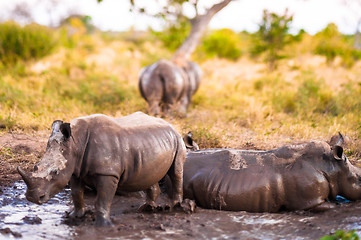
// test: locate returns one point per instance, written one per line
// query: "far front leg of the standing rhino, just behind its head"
(77, 193)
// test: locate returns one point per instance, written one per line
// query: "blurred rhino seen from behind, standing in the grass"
(168, 88)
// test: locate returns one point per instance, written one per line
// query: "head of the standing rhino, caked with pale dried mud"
(54, 170)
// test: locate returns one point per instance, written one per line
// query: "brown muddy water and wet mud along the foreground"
(20, 219)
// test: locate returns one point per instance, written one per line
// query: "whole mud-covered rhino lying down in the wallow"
(293, 177)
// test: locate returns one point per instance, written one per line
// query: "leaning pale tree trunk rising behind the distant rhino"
(199, 25)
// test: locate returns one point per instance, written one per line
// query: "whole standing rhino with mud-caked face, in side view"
(131, 153)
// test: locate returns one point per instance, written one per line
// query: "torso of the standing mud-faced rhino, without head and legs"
(132, 148)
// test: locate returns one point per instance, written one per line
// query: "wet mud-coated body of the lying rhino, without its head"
(255, 181)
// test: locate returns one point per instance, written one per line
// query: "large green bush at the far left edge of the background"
(24, 43)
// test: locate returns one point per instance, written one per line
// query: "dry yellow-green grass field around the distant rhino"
(240, 104)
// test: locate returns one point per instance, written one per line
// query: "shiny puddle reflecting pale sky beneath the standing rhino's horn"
(34, 221)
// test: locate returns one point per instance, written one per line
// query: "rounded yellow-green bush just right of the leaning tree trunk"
(222, 43)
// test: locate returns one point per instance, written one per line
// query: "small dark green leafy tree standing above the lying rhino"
(272, 36)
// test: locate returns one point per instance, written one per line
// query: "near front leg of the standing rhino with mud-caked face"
(106, 187)
